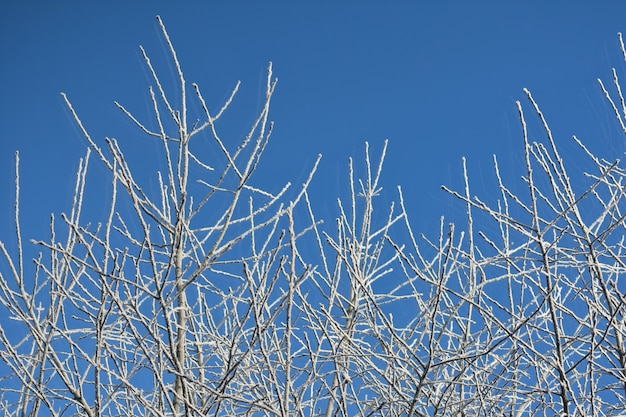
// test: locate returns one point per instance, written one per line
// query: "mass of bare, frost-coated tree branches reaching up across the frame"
(200, 300)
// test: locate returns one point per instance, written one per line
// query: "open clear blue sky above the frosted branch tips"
(438, 79)
